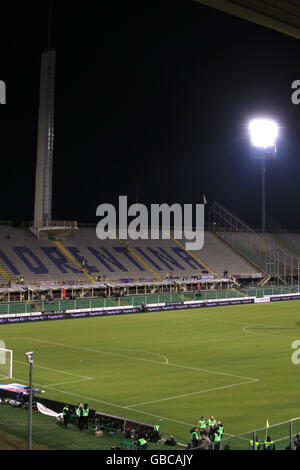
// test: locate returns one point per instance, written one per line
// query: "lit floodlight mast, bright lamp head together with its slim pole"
(263, 134)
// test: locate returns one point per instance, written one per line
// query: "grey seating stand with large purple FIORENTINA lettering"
(22, 254)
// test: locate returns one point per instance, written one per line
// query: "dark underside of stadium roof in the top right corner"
(280, 15)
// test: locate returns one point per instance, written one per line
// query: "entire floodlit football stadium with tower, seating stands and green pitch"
(128, 344)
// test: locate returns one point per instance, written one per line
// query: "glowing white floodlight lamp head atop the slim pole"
(263, 133)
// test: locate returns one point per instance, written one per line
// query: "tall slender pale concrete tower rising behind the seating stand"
(44, 165)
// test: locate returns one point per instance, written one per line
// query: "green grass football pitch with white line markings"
(170, 368)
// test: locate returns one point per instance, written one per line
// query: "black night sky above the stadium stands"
(155, 95)
